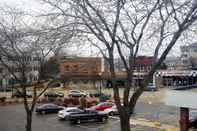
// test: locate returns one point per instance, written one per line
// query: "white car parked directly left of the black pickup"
(64, 114)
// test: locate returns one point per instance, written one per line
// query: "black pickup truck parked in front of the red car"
(88, 115)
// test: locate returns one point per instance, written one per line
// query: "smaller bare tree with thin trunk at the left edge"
(24, 49)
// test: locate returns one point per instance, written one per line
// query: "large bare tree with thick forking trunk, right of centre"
(122, 27)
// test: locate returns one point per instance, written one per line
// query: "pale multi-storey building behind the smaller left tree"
(8, 80)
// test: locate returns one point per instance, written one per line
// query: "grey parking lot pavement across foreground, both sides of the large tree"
(147, 117)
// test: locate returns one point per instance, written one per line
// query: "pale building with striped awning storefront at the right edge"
(182, 71)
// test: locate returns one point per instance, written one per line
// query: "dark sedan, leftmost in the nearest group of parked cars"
(48, 108)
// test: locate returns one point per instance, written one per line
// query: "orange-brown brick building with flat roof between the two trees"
(81, 69)
